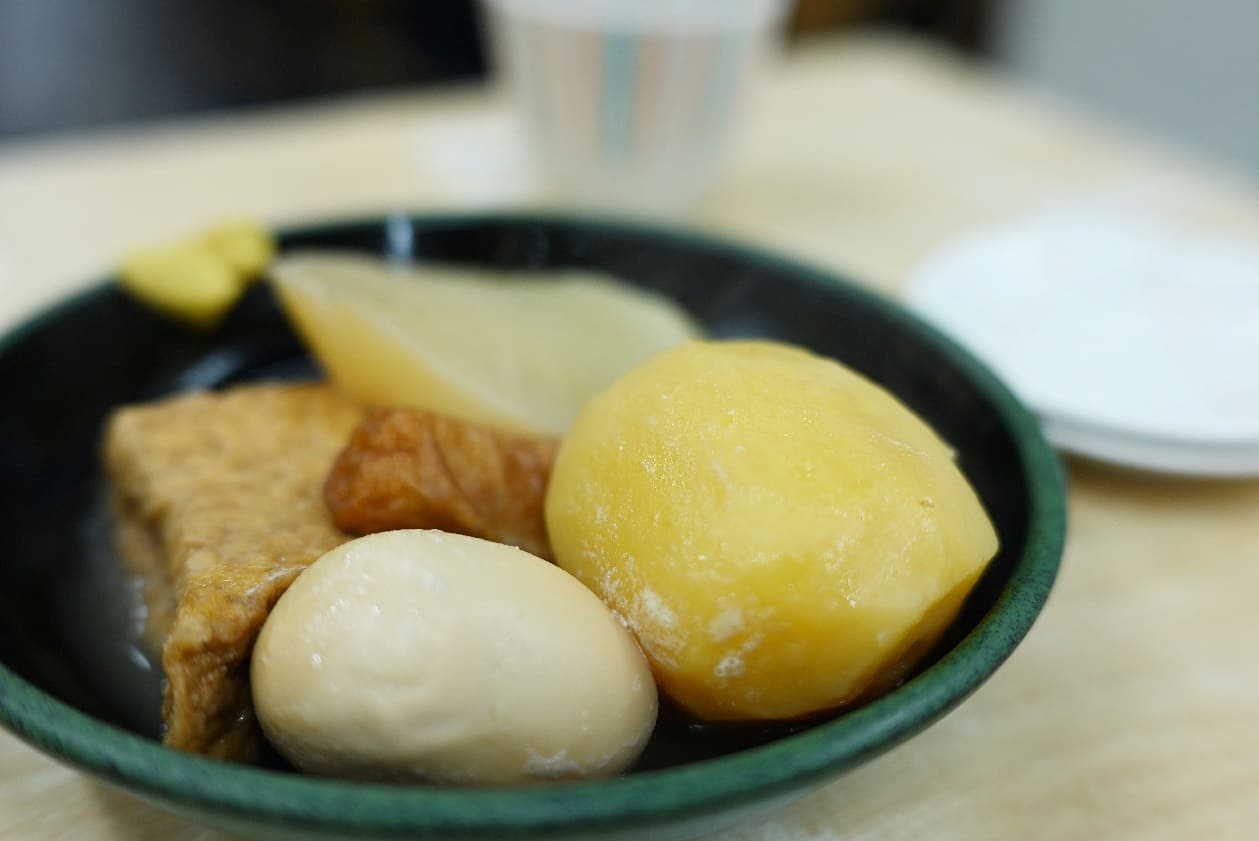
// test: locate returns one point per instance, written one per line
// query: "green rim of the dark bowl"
(260, 796)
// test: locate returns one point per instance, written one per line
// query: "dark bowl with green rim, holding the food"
(74, 686)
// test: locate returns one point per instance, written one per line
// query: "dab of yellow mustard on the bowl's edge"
(198, 280)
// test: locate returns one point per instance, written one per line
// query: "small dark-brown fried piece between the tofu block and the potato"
(411, 469)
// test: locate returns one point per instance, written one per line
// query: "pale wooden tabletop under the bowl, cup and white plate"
(1130, 712)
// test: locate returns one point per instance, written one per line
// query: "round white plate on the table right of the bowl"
(1136, 342)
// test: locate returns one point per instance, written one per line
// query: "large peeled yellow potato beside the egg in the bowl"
(782, 536)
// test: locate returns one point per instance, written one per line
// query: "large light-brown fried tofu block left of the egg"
(218, 505)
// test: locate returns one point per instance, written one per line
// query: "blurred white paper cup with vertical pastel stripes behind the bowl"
(628, 104)
